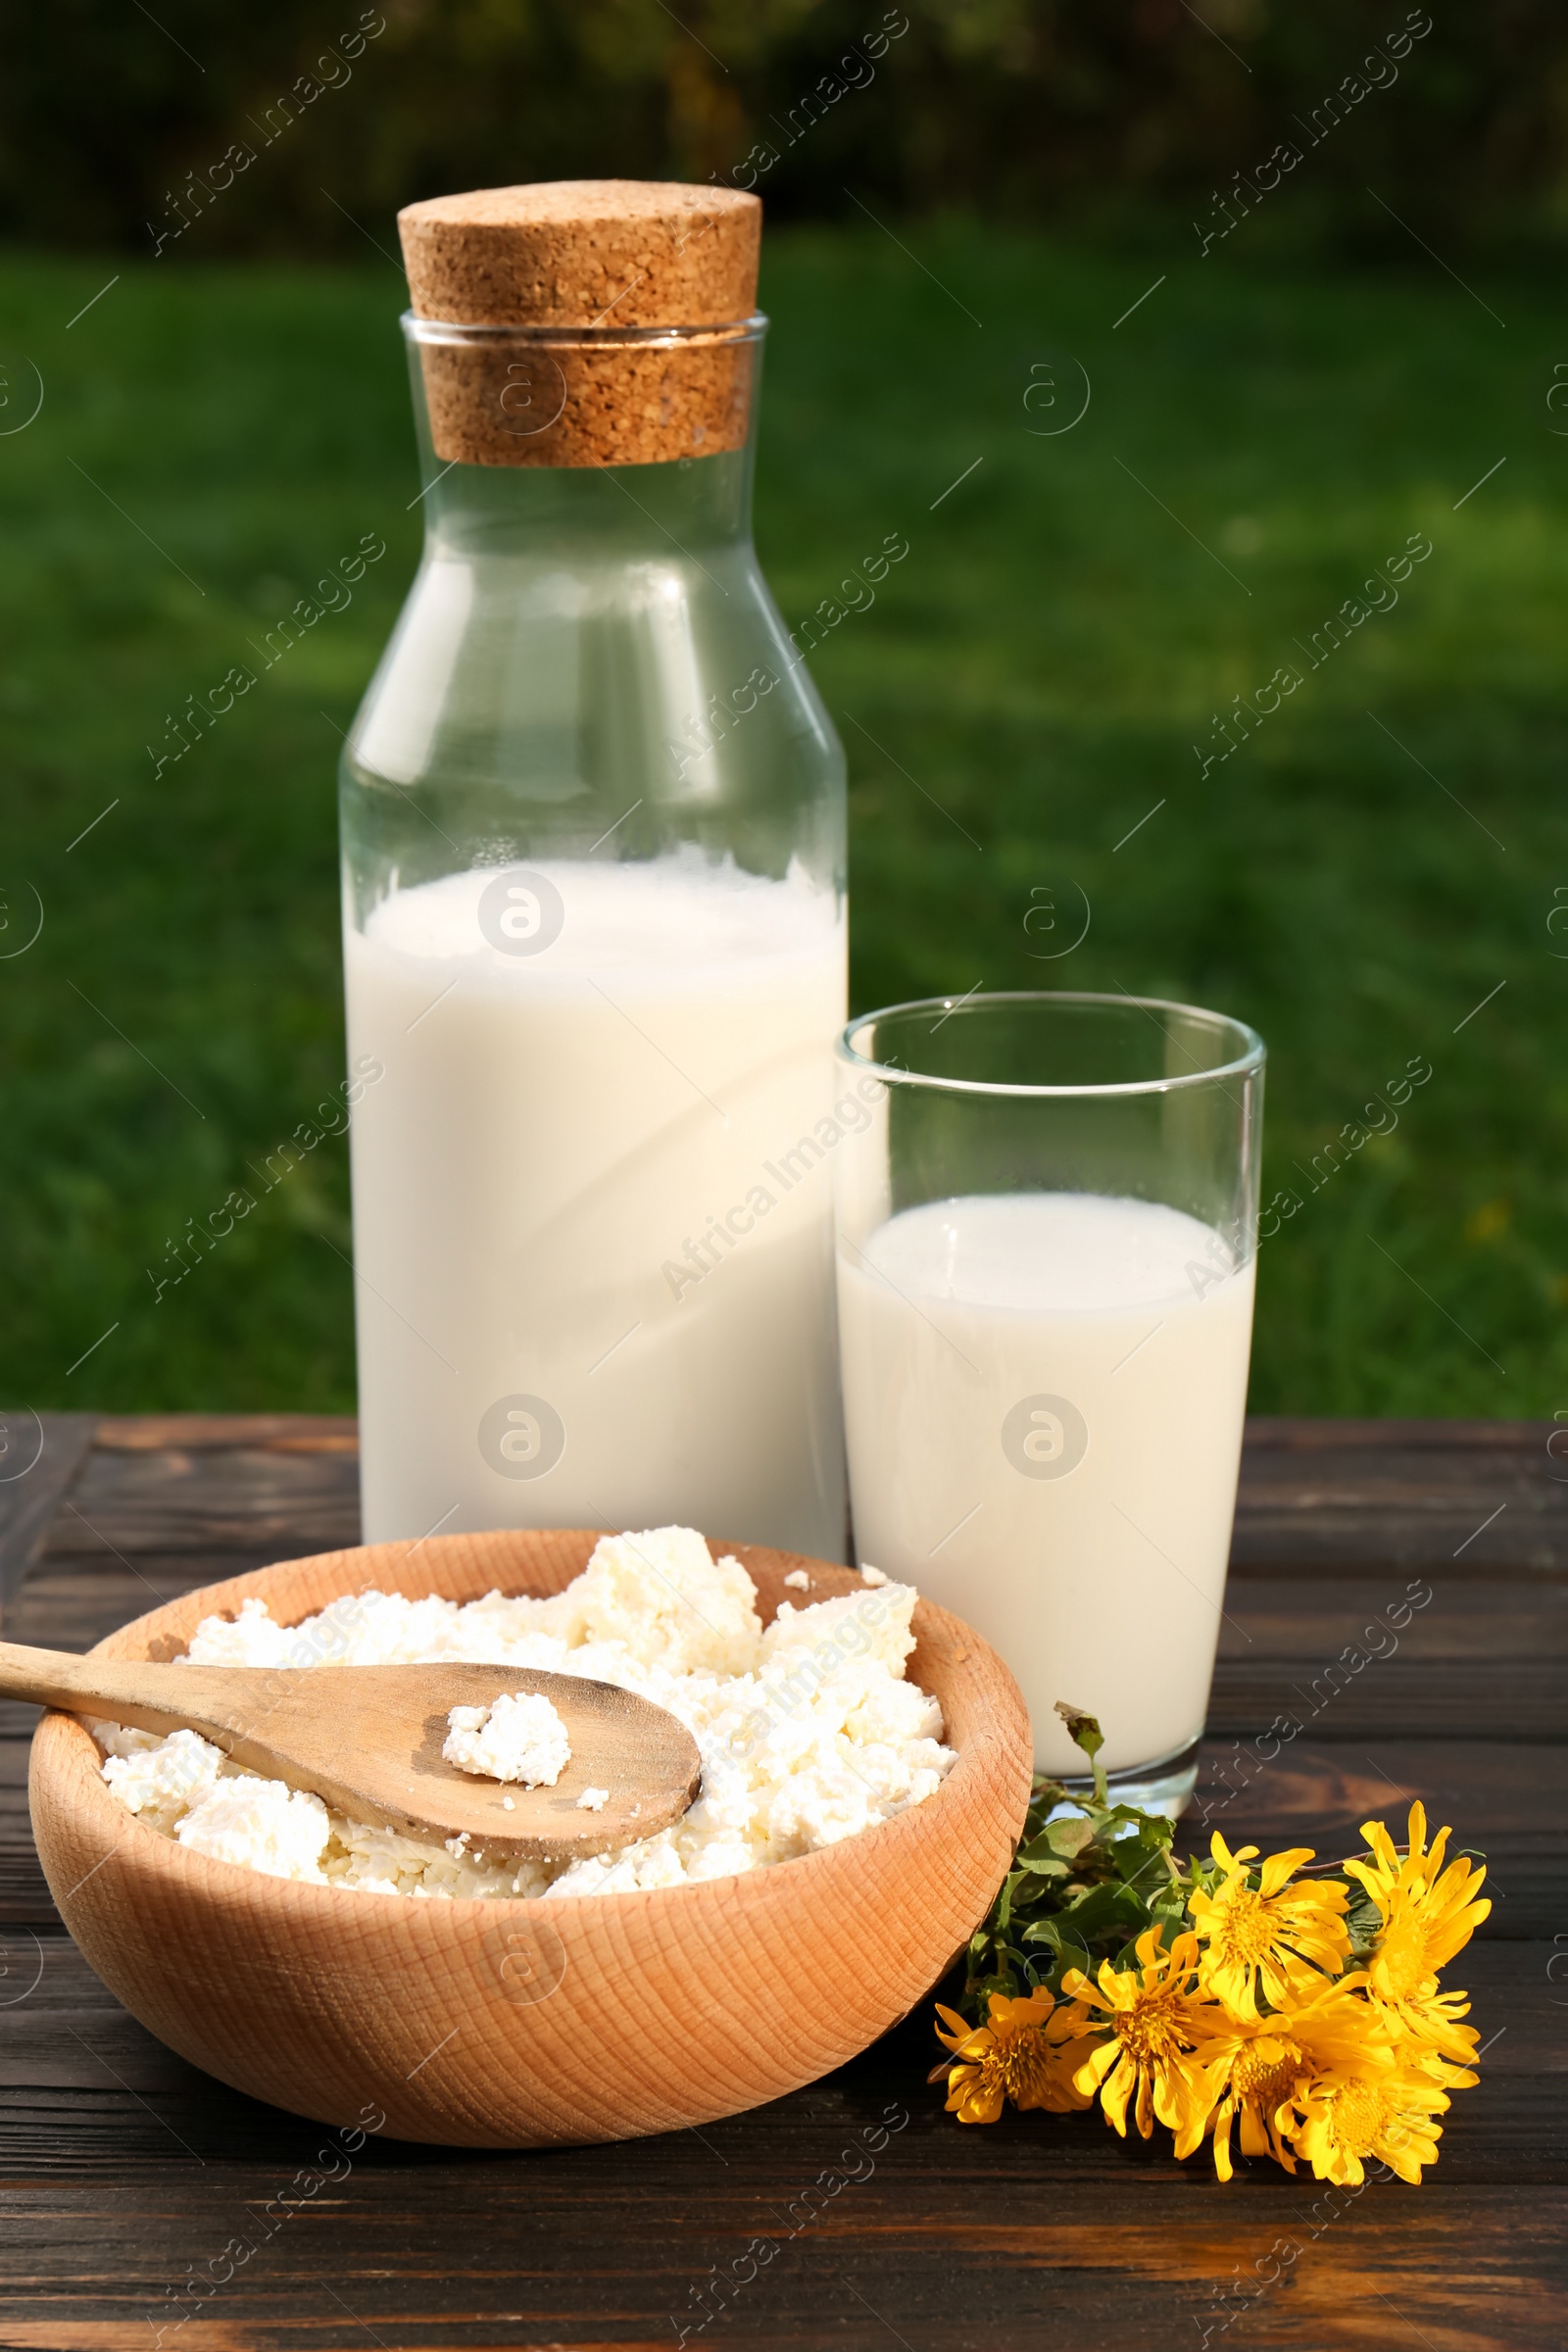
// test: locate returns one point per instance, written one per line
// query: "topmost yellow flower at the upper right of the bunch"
(1428, 1916)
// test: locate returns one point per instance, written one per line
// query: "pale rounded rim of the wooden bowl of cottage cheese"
(65, 1749)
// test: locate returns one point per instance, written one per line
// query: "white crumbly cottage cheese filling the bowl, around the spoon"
(808, 1730)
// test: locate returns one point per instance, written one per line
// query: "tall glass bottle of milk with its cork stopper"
(594, 923)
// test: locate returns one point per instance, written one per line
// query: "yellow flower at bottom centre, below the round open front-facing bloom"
(1268, 2066)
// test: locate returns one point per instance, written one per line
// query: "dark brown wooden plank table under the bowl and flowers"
(1442, 1546)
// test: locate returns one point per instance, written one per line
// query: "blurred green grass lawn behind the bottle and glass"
(1028, 686)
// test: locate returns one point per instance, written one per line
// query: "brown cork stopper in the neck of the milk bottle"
(645, 281)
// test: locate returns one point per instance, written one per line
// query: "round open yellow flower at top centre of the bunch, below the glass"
(1275, 1937)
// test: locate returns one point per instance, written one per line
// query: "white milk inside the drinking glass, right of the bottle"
(1045, 1401)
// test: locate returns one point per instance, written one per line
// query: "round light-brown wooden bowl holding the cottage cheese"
(490, 2024)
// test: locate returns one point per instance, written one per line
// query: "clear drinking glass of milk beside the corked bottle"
(1047, 1222)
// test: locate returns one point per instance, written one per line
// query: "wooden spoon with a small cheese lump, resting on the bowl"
(370, 1742)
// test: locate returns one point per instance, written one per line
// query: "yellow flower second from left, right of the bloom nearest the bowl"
(1155, 2029)
